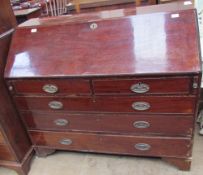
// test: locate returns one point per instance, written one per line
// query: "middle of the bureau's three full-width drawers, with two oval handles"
(111, 123)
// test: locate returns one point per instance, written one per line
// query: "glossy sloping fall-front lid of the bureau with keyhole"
(156, 43)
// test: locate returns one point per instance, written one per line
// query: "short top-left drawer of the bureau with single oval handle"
(45, 87)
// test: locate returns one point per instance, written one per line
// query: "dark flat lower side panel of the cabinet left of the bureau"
(9, 120)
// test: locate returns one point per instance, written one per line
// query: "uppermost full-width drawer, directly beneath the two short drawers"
(144, 104)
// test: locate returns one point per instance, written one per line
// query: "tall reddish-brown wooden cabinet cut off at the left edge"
(15, 144)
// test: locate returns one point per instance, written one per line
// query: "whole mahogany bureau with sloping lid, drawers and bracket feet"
(100, 82)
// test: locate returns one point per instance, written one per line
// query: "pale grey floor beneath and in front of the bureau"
(69, 163)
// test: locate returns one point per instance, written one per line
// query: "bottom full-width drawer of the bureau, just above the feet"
(121, 144)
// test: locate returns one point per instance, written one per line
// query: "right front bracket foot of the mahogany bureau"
(182, 164)
